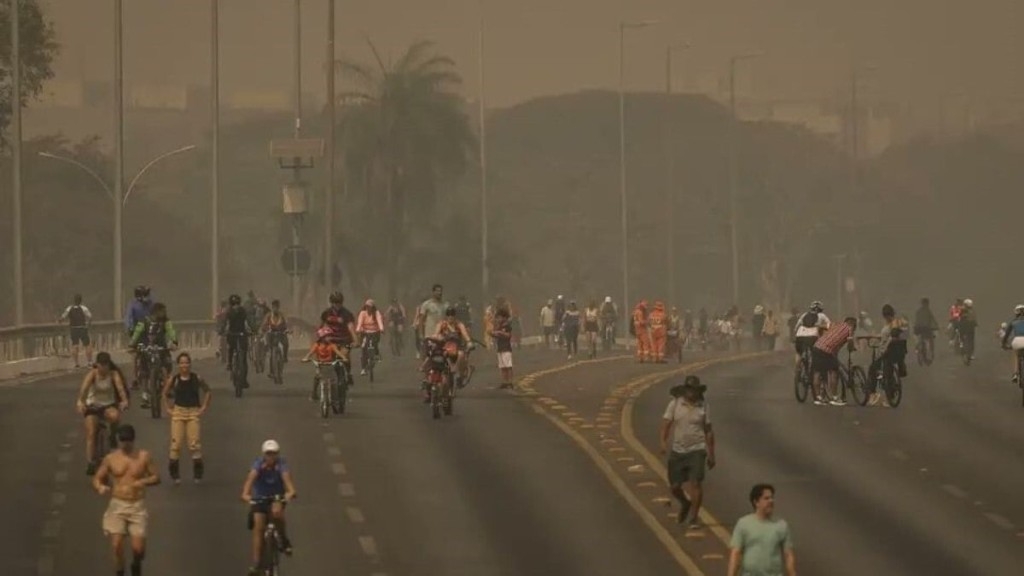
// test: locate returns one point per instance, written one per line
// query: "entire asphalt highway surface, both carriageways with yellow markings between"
(563, 480)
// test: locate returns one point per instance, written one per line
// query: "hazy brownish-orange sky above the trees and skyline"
(535, 48)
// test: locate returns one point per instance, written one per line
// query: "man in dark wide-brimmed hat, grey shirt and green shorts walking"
(688, 423)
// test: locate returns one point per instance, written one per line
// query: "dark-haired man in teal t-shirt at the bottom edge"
(762, 545)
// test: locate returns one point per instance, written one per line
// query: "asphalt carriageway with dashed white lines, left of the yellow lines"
(385, 490)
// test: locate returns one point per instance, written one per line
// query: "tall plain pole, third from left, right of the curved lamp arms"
(216, 160)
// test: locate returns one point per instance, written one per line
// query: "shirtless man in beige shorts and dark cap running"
(130, 472)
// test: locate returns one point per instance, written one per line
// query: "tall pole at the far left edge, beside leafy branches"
(16, 107)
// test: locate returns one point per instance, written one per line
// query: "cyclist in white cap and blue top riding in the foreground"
(269, 478)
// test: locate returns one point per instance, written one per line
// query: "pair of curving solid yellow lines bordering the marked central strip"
(634, 389)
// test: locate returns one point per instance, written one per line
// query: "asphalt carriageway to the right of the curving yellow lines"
(932, 487)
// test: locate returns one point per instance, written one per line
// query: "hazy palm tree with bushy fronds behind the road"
(408, 141)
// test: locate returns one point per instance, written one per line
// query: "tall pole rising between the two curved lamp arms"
(119, 157)
